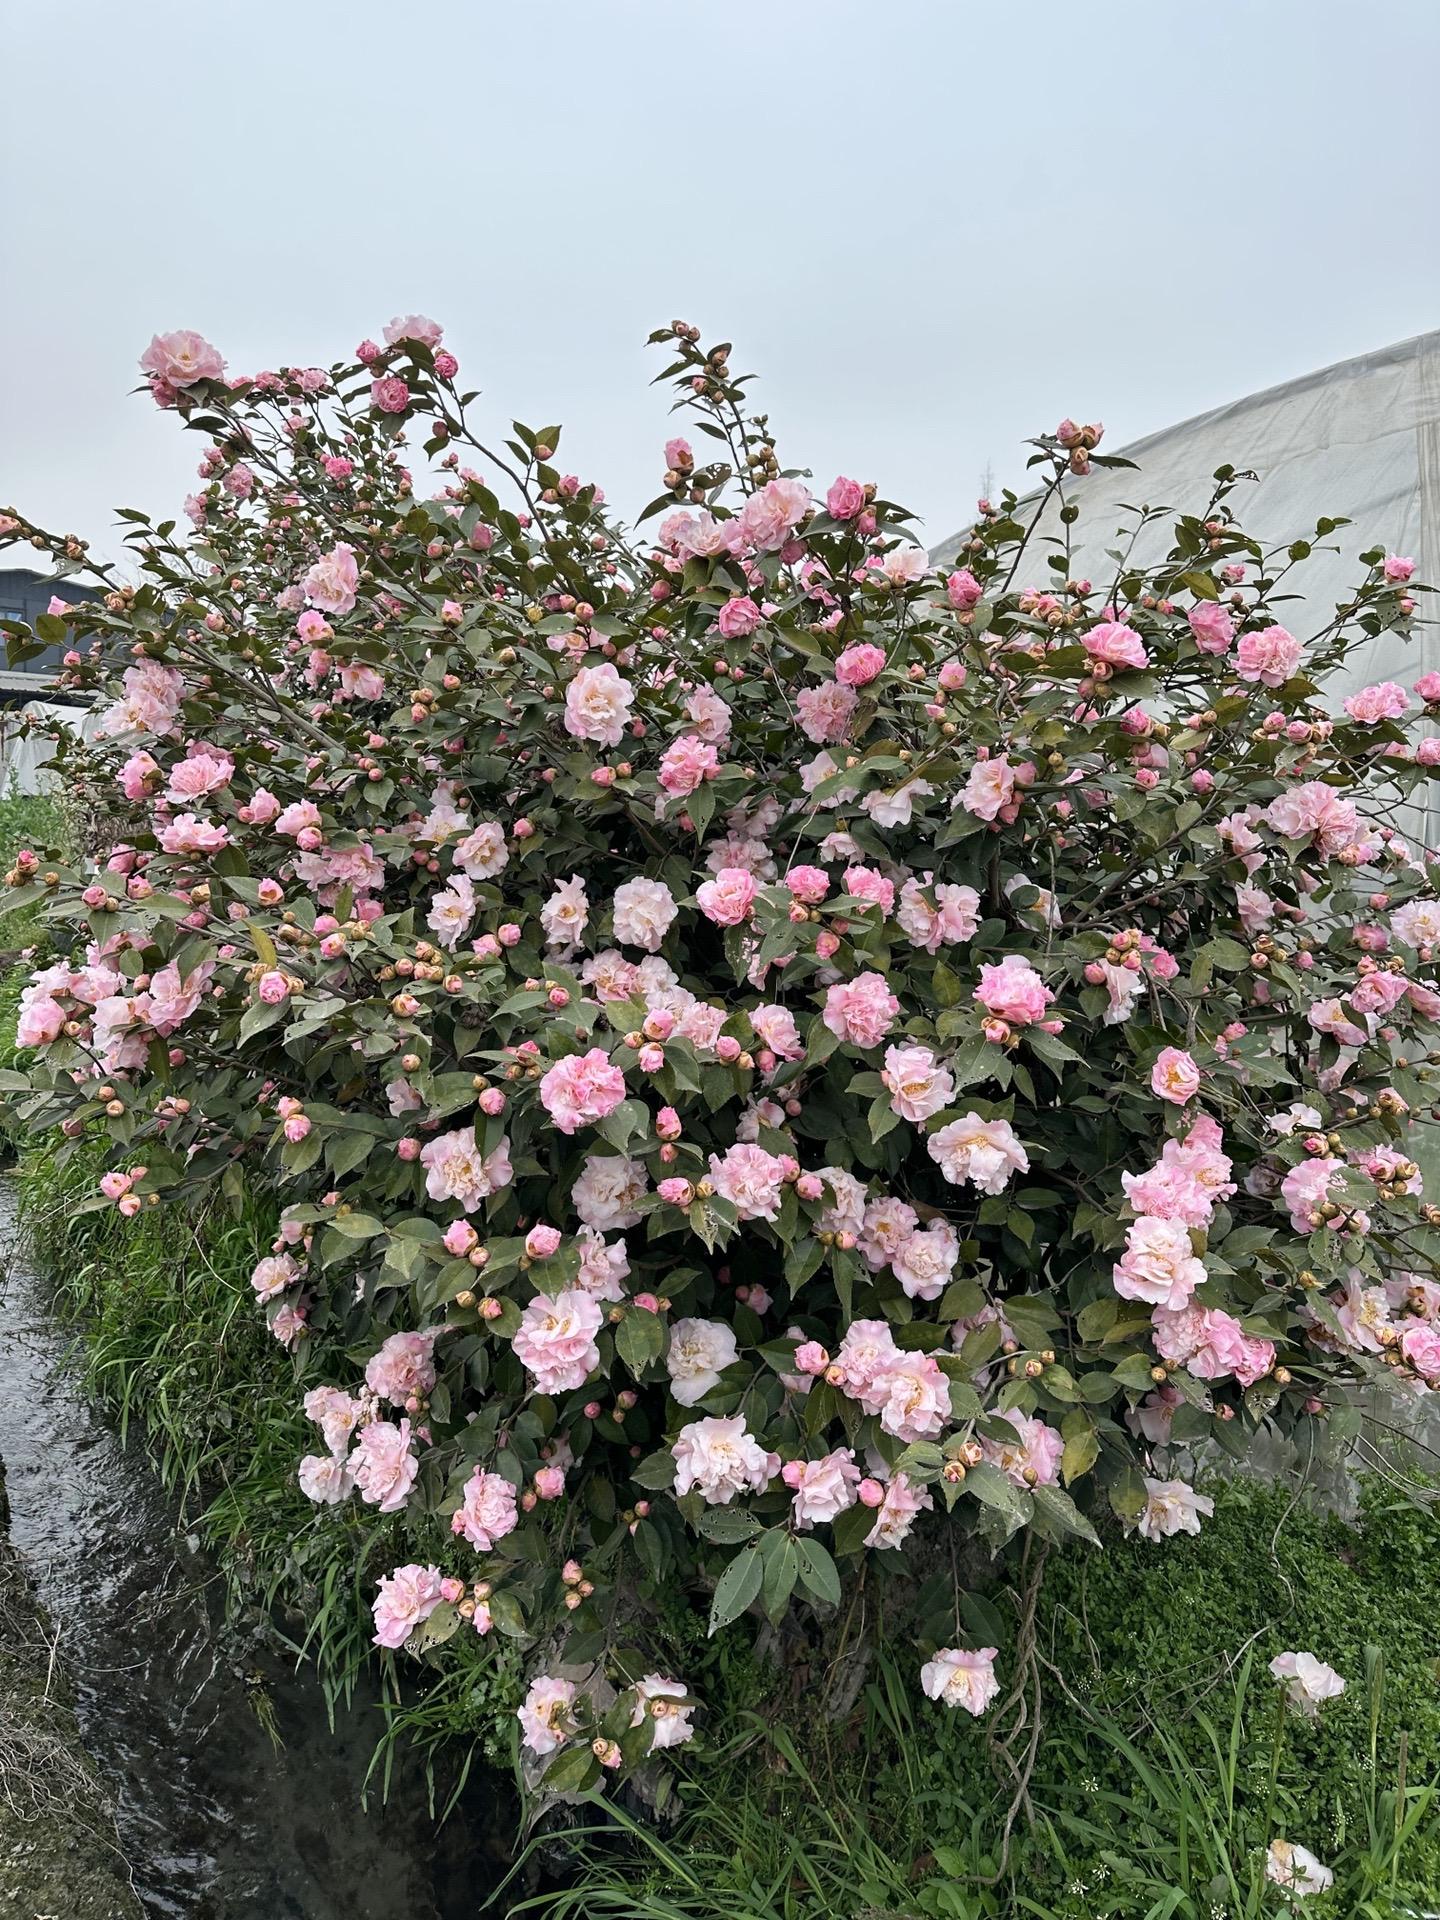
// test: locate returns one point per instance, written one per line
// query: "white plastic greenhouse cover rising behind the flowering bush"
(1358, 441)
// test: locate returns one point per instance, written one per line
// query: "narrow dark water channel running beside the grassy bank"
(216, 1819)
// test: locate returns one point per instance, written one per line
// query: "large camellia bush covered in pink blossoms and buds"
(771, 1053)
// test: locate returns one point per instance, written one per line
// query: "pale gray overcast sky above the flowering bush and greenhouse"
(930, 228)
